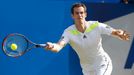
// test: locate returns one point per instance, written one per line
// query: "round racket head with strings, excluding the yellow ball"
(19, 40)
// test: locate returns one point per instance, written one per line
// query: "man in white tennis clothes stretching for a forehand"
(85, 38)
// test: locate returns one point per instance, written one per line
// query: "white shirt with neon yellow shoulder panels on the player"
(87, 45)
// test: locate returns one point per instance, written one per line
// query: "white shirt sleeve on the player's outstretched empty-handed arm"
(105, 29)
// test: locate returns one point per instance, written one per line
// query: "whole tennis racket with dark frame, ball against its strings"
(16, 45)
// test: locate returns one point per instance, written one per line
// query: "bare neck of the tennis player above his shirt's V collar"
(81, 26)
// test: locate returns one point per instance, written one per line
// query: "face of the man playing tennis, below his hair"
(79, 14)
